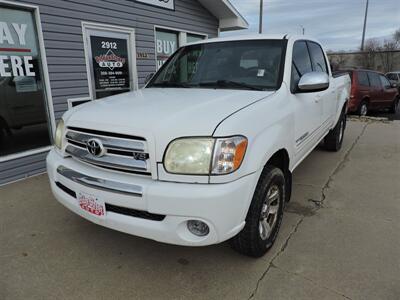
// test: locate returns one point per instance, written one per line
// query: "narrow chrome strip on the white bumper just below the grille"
(102, 184)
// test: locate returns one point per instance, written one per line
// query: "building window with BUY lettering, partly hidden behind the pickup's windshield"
(168, 41)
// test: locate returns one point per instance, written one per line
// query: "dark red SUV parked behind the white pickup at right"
(371, 91)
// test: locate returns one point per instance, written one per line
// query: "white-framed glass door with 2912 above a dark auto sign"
(111, 65)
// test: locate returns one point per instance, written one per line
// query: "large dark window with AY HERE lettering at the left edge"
(24, 122)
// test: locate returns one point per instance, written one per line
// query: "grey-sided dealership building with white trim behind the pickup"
(55, 54)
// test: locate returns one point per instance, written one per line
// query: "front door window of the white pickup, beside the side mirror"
(301, 63)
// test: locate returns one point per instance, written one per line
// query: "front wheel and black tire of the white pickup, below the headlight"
(254, 240)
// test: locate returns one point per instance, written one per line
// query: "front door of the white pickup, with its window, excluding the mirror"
(307, 108)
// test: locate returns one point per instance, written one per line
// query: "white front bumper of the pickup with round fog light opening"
(222, 206)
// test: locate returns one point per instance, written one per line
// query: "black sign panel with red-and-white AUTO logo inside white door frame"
(110, 63)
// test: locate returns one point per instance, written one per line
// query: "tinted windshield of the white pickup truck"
(250, 64)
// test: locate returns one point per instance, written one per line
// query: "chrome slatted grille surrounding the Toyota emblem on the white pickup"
(121, 152)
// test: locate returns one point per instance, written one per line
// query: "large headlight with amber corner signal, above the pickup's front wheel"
(205, 156)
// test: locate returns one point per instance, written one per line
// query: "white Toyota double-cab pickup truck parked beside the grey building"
(205, 151)
